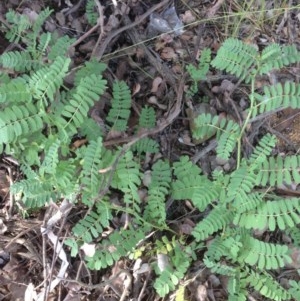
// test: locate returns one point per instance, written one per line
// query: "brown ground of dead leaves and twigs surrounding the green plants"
(140, 46)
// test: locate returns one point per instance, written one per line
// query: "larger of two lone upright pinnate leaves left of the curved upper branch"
(121, 103)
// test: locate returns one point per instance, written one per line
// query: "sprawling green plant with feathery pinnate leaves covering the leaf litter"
(40, 118)
